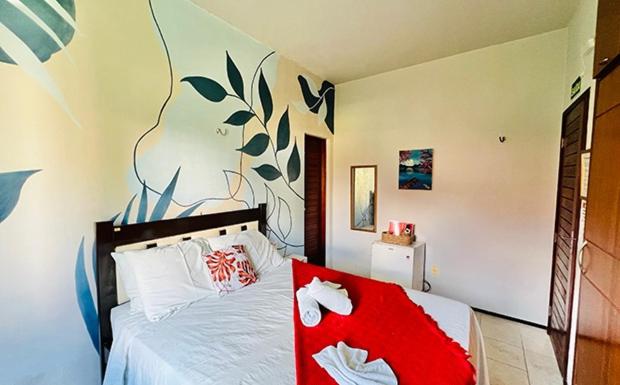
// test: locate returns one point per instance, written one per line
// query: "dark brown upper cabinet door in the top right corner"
(607, 34)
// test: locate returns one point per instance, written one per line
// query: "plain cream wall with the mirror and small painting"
(488, 222)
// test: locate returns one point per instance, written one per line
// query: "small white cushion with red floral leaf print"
(230, 269)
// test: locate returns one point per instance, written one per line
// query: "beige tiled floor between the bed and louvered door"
(518, 354)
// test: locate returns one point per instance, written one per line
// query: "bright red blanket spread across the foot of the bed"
(385, 323)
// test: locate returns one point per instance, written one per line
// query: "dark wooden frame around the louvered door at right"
(563, 359)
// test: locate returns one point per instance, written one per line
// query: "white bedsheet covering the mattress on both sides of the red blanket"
(245, 337)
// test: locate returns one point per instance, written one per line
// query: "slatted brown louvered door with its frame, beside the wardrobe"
(574, 128)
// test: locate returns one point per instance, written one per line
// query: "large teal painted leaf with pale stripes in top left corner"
(45, 26)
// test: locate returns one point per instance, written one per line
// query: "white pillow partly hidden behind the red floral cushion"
(263, 254)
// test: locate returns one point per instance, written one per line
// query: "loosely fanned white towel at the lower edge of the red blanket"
(347, 366)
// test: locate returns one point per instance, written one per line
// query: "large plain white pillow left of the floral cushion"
(164, 281)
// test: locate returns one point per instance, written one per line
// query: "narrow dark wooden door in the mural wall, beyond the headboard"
(315, 187)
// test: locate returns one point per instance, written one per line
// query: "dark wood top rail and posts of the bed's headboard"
(109, 237)
